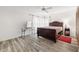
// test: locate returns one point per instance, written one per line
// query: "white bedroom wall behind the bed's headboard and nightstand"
(69, 17)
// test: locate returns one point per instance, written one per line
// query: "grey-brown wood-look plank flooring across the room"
(35, 44)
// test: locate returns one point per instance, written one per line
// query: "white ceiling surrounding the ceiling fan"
(36, 10)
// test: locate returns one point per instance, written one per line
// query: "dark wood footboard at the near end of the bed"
(47, 33)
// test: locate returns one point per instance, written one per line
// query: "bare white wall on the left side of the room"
(11, 21)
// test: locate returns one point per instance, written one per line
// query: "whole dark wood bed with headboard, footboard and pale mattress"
(51, 31)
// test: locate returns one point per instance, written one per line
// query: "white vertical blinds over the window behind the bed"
(40, 22)
